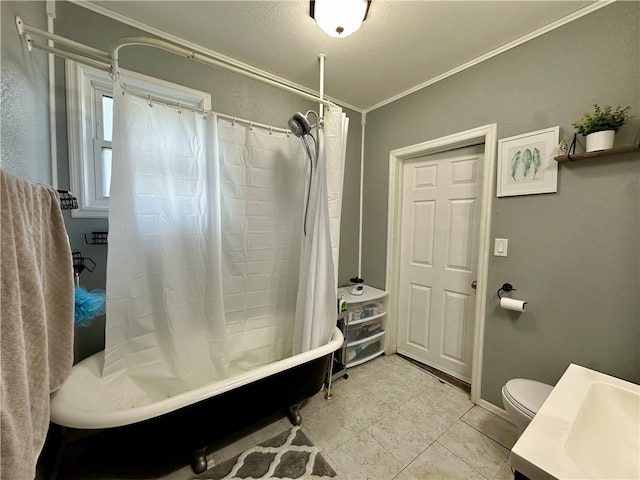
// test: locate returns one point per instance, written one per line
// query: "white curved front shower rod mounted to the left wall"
(110, 61)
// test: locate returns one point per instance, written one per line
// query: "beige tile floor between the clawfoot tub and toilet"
(388, 420)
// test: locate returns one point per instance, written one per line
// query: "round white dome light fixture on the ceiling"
(339, 18)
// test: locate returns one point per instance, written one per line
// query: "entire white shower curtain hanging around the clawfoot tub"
(206, 268)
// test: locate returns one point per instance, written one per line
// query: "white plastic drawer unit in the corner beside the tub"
(364, 325)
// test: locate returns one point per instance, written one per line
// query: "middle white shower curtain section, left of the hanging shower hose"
(263, 188)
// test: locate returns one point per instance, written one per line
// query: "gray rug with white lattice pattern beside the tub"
(289, 455)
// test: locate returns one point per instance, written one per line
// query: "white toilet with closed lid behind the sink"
(522, 399)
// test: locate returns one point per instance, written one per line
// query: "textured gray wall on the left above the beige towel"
(24, 116)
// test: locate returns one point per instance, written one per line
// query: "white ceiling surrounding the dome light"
(401, 46)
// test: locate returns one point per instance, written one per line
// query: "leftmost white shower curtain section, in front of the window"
(165, 330)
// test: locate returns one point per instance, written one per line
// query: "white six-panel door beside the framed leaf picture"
(439, 241)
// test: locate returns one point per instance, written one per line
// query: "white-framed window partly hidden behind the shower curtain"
(90, 128)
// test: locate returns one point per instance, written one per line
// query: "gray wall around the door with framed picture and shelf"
(574, 255)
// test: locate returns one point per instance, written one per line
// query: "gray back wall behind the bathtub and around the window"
(231, 94)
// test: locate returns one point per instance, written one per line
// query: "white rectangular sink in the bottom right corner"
(589, 427)
